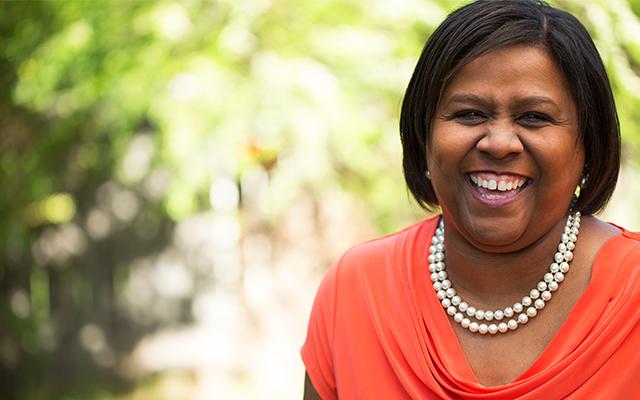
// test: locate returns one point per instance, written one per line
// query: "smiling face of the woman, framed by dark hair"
(505, 154)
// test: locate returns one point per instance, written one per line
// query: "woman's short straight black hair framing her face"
(486, 25)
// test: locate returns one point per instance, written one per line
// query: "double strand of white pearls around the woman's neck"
(508, 318)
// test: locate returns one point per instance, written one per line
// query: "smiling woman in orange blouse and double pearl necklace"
(516, 291)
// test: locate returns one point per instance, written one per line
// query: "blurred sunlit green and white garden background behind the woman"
(176, 176)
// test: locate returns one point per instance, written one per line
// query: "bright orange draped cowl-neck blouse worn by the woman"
(378, 331)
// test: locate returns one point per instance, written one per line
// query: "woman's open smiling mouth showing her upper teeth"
(494, 189)
